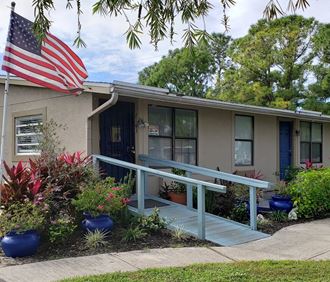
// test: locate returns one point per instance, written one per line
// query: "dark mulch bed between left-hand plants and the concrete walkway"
(75, 246)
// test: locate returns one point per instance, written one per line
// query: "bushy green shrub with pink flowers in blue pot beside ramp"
(102, 197)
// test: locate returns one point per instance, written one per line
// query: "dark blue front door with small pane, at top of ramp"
(117, 138)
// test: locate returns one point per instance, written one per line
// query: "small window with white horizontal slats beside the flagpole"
(27, 135)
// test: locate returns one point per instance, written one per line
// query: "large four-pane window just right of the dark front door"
(173, 134)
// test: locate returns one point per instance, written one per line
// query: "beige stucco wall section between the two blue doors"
(216, 139)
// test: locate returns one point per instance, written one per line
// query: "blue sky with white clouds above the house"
(107, 56)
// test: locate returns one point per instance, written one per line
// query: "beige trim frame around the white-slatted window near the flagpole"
(22, 156)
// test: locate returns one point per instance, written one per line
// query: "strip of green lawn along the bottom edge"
(240, 271)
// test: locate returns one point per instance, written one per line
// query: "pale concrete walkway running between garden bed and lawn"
(302, 241)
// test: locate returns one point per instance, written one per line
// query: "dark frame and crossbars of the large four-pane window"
(173, 135)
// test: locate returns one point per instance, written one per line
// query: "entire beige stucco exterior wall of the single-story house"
(215, 129)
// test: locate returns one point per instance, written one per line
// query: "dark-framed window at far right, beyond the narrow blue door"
(310, 142)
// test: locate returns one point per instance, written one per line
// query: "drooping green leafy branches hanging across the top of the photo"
(156, 17)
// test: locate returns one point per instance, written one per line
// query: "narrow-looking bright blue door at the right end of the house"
(285, 147)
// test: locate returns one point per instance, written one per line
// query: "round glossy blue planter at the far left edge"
(20, 245)
